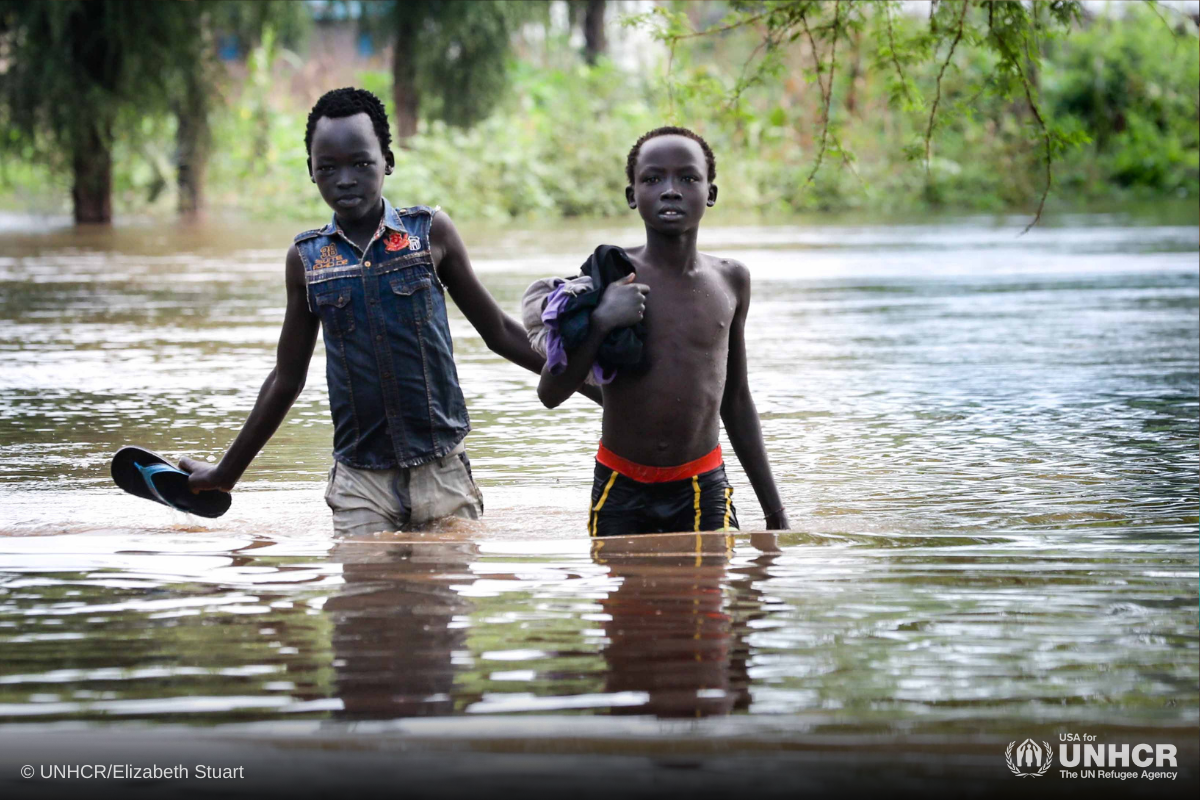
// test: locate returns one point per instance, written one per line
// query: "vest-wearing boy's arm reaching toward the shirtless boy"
(502, 334)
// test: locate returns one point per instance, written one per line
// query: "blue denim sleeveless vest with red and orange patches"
(393, 386)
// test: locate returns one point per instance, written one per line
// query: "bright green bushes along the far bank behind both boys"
(555, 142)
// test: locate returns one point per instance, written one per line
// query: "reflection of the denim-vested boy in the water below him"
(398, 623)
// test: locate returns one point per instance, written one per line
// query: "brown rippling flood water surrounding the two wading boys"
(988, 447)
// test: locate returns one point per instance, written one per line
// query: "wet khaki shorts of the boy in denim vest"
(371, 501)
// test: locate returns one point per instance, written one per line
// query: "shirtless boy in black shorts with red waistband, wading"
(659, 467)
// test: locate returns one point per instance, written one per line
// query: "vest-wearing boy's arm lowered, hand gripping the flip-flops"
(279, 393)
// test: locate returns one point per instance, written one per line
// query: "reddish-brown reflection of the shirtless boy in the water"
(674, 634)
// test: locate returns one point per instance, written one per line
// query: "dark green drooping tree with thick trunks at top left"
(79, 75)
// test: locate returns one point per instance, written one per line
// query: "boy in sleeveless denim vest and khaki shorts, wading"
(374, 281)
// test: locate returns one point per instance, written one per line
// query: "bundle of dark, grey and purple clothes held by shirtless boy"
(557, 315)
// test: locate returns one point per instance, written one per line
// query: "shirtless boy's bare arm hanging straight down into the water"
(740, 416)
